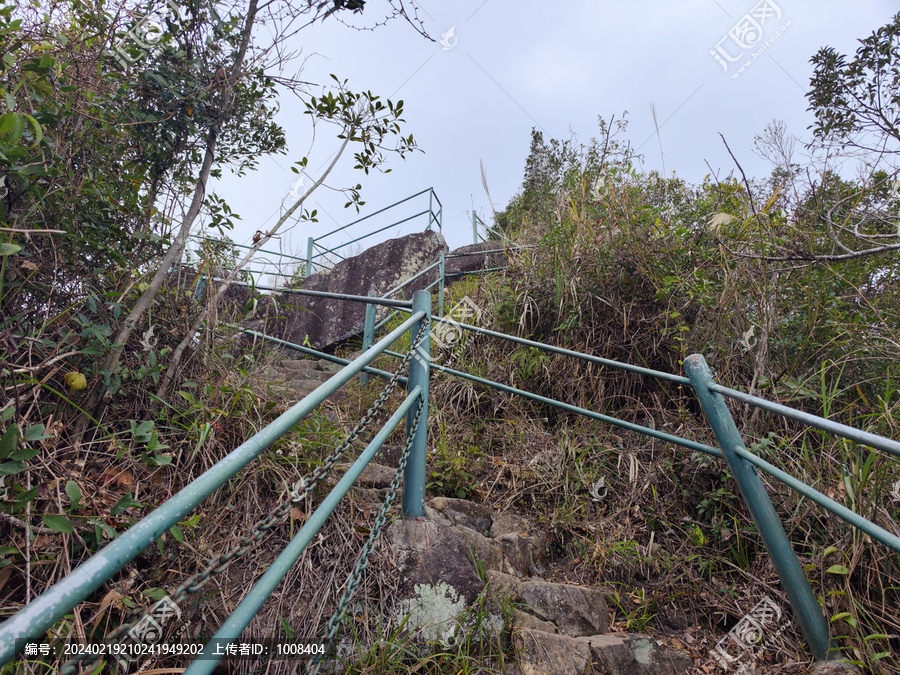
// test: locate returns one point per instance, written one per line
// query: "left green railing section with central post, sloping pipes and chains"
(36, 618)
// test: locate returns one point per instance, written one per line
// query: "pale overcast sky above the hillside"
(499, 68)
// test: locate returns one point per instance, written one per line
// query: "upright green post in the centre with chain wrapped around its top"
(414, 475)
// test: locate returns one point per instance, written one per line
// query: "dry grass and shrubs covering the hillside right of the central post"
(787, 285)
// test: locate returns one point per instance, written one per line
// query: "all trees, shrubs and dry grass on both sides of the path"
(788, 286)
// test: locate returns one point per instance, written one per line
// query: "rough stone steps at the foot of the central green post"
(557, 628)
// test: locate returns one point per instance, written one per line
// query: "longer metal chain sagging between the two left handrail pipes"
(297, 494)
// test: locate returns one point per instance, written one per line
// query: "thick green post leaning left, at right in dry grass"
(793, 580)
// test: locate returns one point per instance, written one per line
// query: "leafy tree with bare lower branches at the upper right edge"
(856, 103)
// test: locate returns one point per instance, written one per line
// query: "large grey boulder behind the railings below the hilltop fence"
(297, 318)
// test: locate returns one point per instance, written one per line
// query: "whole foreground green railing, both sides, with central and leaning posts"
(40, 615)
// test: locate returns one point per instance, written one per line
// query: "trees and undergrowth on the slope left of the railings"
(113, 117)
